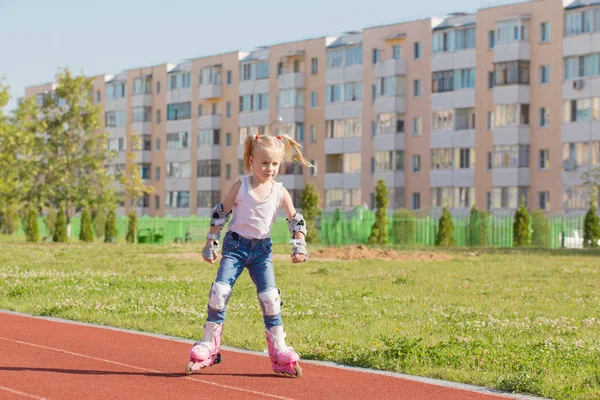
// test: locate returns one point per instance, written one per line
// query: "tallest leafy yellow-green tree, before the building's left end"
(74, 152)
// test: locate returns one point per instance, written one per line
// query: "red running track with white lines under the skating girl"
(45, 359)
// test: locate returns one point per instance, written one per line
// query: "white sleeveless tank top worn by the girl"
(253, 217)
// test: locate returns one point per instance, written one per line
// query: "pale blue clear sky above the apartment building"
(37, 37)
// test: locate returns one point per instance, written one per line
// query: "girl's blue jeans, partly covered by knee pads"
(256, 255)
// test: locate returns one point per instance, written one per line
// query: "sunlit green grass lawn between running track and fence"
(524, 321)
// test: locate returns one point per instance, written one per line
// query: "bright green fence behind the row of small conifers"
(354, 227)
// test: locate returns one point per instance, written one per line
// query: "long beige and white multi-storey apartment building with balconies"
(481, 108)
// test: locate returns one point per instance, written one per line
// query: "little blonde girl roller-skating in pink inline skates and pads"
(254, 200)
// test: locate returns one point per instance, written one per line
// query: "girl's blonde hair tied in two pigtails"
(285, 143)
